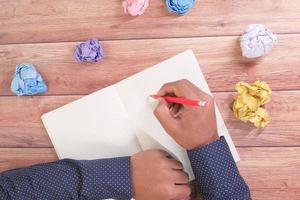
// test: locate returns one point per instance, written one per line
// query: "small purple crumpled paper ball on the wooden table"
(89, 51)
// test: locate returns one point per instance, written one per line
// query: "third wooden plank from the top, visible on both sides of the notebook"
(20, 124)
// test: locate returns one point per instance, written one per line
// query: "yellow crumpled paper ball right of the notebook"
(250, 99)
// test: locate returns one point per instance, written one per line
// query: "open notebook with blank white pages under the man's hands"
(119, 121)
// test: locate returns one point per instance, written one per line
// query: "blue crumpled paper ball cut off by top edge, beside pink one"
(180, 7)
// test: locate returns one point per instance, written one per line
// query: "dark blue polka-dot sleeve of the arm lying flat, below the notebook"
(69, 179)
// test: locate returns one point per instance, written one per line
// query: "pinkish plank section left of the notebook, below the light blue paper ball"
(20, 123)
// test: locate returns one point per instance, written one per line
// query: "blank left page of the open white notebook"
(93, 127)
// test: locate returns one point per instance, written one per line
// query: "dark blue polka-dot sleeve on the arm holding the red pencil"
(216, 173)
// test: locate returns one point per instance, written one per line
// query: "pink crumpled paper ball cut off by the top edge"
(135, 7)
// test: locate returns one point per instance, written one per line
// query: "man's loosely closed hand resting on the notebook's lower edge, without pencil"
(156, 176)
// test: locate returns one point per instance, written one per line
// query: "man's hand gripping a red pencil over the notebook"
(190, 126)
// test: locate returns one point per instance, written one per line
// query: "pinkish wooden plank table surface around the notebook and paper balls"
(45, 32)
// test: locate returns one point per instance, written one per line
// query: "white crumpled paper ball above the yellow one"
(257, 41)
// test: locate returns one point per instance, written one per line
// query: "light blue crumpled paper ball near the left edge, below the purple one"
(27, 81)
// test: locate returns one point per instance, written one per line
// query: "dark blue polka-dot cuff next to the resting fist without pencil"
(108, 178)
